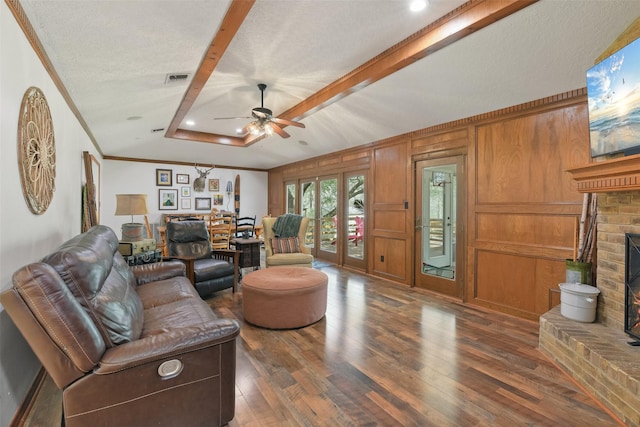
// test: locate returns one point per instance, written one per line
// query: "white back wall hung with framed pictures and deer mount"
(123, 177)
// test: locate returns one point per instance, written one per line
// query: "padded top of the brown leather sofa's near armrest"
(171, 343)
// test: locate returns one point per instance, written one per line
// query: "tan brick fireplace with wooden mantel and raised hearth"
(597, 355)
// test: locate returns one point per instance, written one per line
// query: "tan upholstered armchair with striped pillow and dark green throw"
(287, 250)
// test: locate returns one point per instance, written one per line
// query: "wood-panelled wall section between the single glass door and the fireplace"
(524, 205)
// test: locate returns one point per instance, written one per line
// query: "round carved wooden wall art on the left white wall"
(36, 151)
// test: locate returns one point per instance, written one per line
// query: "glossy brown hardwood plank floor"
(385, 355)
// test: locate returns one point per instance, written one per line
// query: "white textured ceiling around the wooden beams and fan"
(113, 57)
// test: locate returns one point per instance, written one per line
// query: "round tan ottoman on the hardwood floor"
(284, 297)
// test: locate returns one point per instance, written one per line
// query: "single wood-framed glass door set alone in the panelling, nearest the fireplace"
(437, 250)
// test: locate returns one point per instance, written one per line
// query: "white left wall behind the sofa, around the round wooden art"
(25, 237)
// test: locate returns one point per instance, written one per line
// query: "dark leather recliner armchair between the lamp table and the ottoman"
(209, 270)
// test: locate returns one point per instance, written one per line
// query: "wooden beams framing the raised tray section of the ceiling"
(459, 23)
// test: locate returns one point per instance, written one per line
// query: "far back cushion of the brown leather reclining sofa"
(102, 282)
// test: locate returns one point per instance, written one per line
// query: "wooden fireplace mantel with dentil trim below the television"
(619, 174)
